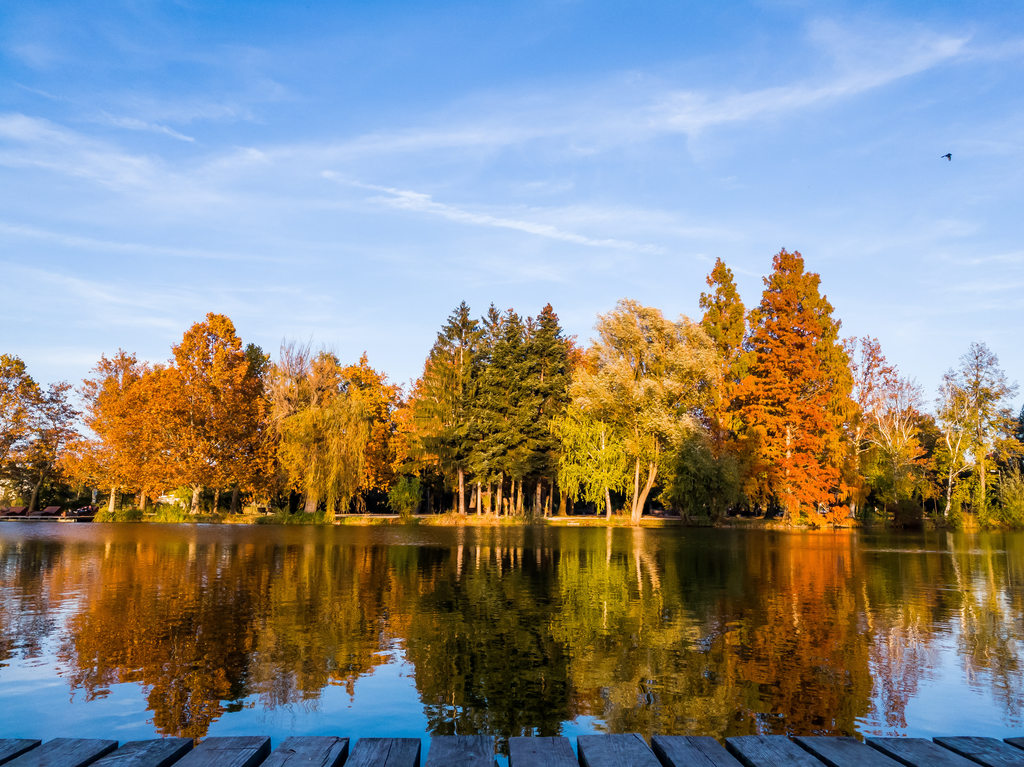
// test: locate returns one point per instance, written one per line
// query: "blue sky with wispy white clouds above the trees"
(348, 174)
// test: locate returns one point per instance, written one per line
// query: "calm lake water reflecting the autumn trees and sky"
(126, 631)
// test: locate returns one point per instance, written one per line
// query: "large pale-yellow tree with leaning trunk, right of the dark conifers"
(652, 380)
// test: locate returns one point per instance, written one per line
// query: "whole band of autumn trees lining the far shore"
(766, 412)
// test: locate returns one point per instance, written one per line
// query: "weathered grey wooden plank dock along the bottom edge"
(479, 751)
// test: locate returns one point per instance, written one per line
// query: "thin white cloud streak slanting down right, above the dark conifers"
(421, 203)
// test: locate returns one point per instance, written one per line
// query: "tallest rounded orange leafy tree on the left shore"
(217, 410)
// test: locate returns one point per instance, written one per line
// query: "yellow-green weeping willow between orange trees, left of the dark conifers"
(322, 424)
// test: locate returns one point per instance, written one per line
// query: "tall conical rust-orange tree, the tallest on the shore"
(796, 401)
